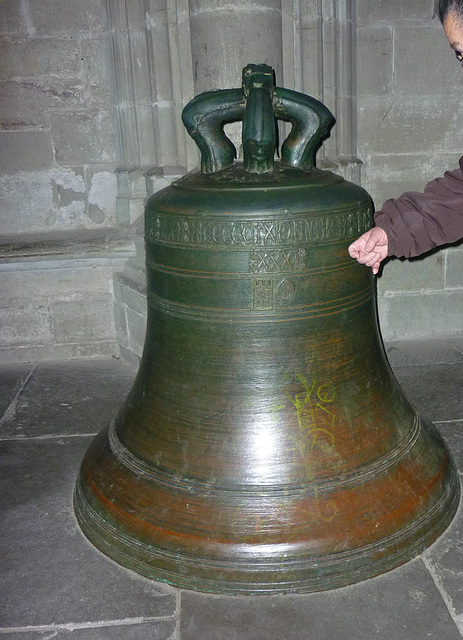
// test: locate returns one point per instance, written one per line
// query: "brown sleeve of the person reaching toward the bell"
(417, 222)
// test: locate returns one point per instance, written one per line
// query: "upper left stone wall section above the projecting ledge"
(56, 139)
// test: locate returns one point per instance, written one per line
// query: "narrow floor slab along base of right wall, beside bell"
(433, 352)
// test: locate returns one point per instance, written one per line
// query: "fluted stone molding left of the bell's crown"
(150, 60)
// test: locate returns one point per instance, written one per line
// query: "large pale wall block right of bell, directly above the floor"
(424, 315)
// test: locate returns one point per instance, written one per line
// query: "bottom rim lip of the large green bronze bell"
(304, 574)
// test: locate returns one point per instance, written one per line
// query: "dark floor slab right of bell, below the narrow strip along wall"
(436, 391)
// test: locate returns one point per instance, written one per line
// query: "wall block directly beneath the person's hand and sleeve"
(425, 273)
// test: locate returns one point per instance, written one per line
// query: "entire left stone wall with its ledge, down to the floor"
(60, 242)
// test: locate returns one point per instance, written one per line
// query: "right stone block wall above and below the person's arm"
(409, 132)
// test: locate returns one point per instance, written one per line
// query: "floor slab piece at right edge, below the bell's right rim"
(445, 560)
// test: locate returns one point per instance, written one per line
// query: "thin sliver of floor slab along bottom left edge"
(158, 630)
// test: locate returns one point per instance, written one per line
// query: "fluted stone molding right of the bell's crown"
(319, 44)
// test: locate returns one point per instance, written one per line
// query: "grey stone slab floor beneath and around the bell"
(54, 584)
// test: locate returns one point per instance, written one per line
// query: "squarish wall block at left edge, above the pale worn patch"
(25, 151)
